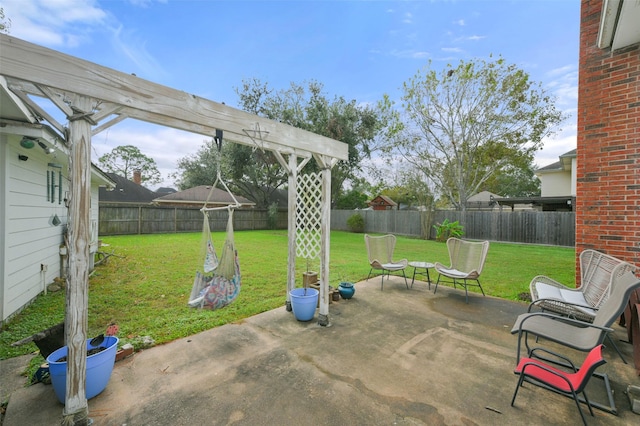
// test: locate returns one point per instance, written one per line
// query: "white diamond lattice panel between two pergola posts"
(308, 215)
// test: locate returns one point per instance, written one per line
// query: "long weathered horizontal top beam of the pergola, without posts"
(162, 105)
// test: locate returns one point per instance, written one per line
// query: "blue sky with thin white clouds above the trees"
(359, 50)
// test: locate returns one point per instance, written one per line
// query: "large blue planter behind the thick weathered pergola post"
(99, 368)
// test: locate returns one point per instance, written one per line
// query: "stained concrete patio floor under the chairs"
(397, 356)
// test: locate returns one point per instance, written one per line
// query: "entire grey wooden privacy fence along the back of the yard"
(531, 227)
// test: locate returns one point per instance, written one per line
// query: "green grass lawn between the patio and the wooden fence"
(145, 286)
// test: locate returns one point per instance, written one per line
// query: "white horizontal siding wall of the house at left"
(31, 241)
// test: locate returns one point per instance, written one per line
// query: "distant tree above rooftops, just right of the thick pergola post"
(124, 160)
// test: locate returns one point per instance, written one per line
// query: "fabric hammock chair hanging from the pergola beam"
(219, 282)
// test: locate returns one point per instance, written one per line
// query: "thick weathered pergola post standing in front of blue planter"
(79, 234)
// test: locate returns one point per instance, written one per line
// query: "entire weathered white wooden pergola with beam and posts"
(94, 98)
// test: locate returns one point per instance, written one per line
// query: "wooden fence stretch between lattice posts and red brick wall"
(524, 226)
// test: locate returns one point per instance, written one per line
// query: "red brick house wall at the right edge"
(608, 144)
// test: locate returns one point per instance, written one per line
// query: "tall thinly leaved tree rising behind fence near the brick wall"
(463, 125)
